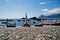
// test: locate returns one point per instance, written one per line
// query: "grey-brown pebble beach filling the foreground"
(30, 33)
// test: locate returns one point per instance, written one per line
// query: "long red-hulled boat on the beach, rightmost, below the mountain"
(52, 23)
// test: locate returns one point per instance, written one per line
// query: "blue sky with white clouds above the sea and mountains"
(18, 8)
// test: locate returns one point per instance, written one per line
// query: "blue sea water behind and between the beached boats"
(18, 23)
